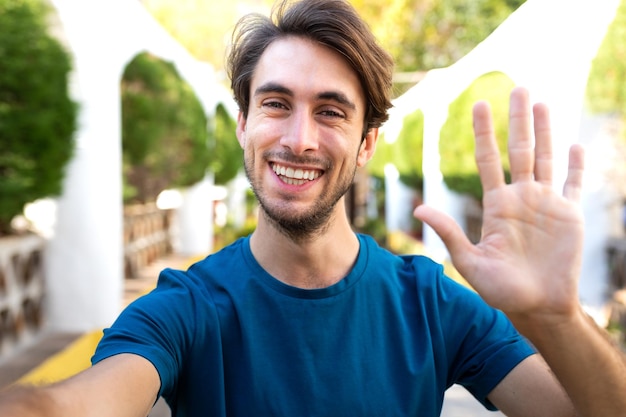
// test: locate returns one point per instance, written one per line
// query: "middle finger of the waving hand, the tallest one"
(521, 154)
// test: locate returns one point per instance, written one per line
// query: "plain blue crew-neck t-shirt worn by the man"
(228, 339)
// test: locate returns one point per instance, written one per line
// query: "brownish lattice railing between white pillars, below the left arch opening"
(147, 236)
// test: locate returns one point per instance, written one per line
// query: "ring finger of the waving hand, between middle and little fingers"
(543, 144)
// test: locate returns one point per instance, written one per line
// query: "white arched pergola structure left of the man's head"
(84, 262)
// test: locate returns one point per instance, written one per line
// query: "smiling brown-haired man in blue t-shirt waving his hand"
(305, 317)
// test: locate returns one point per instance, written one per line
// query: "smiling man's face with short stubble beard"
(302, 138)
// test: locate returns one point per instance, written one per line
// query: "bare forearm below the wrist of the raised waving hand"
(591, 368)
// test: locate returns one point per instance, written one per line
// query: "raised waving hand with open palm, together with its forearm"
(529, 258)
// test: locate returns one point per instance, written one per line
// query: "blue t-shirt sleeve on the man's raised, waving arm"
(483, 346)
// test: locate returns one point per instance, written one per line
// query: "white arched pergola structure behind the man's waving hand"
(546, 46)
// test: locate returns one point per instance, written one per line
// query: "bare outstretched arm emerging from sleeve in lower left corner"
(122, 386)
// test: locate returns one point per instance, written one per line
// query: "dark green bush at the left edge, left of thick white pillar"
(37, 116)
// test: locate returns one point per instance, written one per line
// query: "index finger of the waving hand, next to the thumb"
(487, 153)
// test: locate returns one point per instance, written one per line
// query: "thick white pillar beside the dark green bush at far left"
(84, 261)
